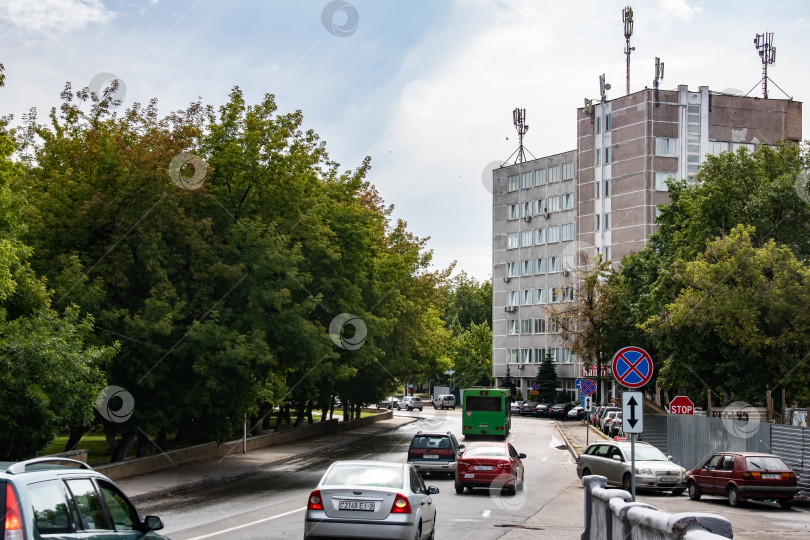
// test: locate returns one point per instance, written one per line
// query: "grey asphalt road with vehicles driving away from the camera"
(270, 504)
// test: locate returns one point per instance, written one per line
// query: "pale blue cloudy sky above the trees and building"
(426, 88)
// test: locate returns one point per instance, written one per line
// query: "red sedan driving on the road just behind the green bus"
(490, 465)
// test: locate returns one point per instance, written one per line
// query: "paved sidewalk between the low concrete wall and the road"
(206, 473)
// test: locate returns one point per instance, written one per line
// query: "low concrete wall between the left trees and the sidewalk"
(212, 450)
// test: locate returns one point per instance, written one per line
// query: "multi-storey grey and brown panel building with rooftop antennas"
(603, 197)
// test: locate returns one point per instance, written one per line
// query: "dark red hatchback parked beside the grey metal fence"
(744, 475)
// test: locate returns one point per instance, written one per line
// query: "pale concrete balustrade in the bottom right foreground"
(610, 516)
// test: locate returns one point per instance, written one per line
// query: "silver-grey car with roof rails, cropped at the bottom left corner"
(64, 498)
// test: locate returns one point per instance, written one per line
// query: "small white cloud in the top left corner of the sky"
(57, 16)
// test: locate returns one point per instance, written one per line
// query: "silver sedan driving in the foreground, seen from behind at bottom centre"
(371, 499)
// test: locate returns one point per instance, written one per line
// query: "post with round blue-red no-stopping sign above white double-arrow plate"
(633, 368)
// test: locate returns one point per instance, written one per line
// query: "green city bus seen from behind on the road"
(486, 411)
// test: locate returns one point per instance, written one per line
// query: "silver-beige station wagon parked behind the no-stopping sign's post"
(611, 459)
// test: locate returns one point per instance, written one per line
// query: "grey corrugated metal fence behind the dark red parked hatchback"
(691, 440)
